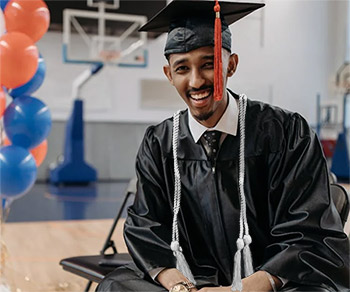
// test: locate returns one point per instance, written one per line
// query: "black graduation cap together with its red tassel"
(192, 24)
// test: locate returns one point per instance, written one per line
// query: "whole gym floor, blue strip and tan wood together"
(51, 223)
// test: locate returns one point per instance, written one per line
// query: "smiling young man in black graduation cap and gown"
(233, 194)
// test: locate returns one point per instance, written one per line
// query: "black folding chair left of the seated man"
(95, 267)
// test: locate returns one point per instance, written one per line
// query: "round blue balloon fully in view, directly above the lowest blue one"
(27, 121)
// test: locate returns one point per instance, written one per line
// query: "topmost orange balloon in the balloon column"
(31, 17)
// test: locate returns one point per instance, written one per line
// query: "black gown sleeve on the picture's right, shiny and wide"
(308, 245)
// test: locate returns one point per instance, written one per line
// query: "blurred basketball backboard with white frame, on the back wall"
(99, 36)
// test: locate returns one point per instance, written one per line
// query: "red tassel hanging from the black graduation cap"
(218, 82)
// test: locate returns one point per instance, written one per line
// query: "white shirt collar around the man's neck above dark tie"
(227, 123)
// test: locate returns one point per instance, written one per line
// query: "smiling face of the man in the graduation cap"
(192, 74)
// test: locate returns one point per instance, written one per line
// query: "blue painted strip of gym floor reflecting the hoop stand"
(73, 202)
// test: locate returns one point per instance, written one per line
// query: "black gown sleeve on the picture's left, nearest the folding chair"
(147, 230)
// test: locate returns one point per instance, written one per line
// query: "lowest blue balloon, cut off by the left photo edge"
(17, 171)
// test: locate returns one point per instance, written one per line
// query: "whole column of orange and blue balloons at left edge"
(26, 120)
